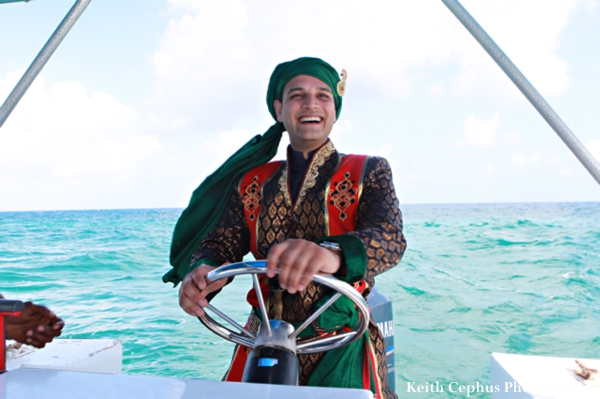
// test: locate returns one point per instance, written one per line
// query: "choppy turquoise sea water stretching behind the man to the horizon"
(476, 279)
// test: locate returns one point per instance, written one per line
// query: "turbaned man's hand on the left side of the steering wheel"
(195, 288)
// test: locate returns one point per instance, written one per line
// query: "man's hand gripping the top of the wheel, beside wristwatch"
(298, 261)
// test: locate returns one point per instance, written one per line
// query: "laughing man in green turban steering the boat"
(319, 212)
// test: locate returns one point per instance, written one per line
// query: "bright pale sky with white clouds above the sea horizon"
(143, 99)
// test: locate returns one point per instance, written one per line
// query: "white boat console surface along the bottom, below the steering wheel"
(57, 384)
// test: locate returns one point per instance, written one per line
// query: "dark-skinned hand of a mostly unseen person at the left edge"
(35, 326)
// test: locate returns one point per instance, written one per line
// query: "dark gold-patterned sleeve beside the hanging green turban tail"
(229, 240)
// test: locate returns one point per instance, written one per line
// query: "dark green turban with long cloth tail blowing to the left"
(208, 200)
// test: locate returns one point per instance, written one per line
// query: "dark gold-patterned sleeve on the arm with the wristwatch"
(379, 222)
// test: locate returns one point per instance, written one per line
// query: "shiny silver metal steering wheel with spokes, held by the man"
(247, 338)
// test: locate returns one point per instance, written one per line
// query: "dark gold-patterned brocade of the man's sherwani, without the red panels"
(378, 228)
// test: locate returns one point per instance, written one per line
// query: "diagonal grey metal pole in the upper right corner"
(534, 97)
